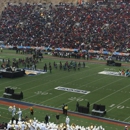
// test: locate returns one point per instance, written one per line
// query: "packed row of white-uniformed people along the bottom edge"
(36, 125)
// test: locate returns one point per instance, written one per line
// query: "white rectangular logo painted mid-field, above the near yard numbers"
(72, 90)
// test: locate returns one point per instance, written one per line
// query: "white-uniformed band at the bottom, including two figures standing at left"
(34, 124)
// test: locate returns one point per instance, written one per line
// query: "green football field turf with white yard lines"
(111, 91)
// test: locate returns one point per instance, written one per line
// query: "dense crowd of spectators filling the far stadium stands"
(86, 26)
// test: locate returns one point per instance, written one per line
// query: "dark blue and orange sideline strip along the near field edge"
(26, 105)
